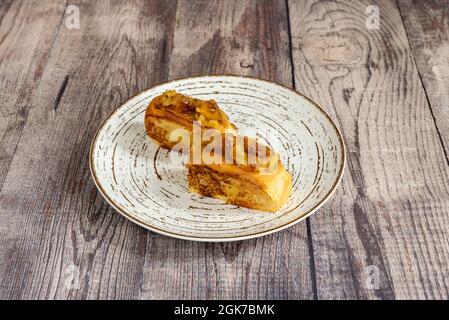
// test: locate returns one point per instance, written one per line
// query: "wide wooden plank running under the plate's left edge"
(54, 225)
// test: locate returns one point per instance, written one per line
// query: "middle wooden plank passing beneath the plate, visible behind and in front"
(240, 37)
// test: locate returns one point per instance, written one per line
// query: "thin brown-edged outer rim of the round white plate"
(150, 227)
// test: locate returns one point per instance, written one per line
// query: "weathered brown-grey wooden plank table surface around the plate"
(387, 88)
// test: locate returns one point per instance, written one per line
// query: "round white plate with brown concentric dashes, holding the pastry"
(148, 185)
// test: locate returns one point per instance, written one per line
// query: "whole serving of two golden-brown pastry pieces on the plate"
(245, 172)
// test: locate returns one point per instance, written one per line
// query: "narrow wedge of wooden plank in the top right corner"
(427, 27)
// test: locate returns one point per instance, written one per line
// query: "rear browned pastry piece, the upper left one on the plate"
(171, 113)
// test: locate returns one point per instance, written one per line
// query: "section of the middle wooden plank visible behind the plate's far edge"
(247, 37)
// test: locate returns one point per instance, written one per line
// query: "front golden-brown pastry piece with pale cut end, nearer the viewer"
(254, 178)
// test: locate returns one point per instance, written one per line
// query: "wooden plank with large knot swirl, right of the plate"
(392, 210)
